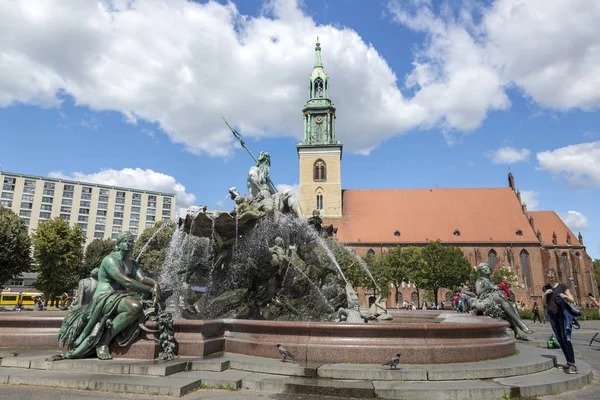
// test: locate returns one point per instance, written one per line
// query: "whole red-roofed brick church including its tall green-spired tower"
(488, 224)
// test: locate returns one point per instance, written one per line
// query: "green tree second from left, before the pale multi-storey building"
(58, 255)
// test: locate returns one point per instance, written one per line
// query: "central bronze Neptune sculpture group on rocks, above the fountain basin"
(261, 261)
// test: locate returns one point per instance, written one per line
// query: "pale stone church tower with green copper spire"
(320, 153)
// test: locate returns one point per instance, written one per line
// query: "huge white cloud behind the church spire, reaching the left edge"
(183, 65)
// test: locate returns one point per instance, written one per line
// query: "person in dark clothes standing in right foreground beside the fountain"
(554, 290)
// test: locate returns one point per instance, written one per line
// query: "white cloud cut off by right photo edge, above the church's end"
(579, 164)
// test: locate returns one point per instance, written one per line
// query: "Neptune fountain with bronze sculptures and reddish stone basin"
(261, 274)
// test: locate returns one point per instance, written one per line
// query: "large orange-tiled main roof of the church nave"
(473, 215)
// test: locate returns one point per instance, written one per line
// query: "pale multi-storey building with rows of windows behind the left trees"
(100, 211)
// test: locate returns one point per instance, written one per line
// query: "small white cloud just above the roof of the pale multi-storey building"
(144, 179)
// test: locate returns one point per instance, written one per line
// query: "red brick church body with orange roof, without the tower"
(488, 224)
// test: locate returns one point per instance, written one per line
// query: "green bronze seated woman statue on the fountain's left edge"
(116, 310)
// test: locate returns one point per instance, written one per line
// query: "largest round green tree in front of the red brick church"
(446, 267)
